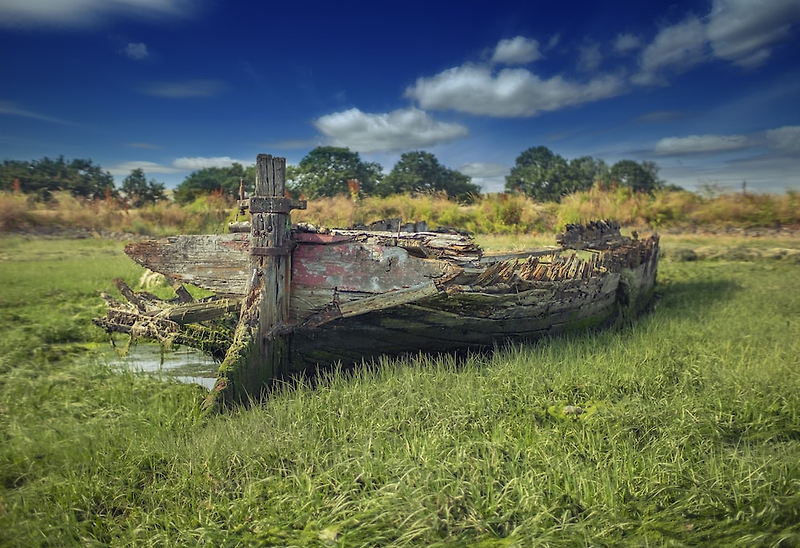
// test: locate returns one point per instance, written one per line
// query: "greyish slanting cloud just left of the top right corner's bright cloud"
(676, 49)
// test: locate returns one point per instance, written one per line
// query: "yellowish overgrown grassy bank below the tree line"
(487, 214)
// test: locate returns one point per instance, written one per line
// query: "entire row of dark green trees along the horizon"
(330, 171)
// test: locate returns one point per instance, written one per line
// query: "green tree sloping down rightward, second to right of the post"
(421, 171)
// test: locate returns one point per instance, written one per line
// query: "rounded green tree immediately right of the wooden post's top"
(325, 170)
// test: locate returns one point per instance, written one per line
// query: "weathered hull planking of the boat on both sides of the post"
(358, 295)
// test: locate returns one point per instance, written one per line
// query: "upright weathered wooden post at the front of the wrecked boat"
(260, 349)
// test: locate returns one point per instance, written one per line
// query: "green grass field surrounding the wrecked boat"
(690, 433)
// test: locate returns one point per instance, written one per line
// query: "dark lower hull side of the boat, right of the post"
(472, 320)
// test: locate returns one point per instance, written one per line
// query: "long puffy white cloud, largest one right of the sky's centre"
(509, 93)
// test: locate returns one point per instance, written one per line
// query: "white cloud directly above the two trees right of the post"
(398, 130)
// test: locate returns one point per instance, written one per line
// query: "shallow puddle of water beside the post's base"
(184, 364)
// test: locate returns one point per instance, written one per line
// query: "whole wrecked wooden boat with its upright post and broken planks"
(288, 300)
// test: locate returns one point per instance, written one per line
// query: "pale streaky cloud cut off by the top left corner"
(84, 13)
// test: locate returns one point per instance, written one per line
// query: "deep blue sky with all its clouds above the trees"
(708, 89)
